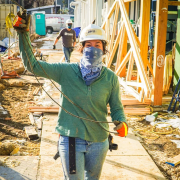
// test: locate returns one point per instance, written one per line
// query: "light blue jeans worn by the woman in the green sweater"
(90, 157)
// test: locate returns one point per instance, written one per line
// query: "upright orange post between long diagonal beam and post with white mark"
(144, 30)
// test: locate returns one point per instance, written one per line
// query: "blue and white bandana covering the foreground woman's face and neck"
(91, 64)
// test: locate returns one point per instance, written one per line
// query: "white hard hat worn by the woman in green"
(92, 32)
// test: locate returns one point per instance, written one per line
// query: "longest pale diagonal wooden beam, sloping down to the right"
(136, 53)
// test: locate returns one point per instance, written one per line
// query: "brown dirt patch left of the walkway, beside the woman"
(15, 101)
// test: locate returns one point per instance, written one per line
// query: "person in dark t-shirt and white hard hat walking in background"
(68, 40)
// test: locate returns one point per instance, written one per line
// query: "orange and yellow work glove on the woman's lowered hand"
(121, 128)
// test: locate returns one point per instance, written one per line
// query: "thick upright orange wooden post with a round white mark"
(159, 49)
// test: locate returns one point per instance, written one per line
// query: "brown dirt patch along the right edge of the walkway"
(159, 146)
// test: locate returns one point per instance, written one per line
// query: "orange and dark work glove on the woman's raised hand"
(22, 21)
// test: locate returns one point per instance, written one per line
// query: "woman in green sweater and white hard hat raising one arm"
(91, 86)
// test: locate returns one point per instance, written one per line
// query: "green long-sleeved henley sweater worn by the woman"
(93, 99)
